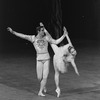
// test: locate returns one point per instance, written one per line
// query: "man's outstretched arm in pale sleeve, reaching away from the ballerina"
(27, 37)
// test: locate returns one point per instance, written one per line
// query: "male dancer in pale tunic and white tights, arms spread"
(40, 42)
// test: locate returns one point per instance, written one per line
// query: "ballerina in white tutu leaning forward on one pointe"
(63, 55)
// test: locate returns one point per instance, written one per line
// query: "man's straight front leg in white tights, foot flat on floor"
(44, 78)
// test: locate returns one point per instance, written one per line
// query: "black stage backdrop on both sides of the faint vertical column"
(81, 18)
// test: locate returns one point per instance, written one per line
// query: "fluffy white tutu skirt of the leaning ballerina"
(59, 64)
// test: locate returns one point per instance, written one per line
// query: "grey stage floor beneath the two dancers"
(18, 78)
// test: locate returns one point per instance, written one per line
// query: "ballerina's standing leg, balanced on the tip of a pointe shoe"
(56, 77)
